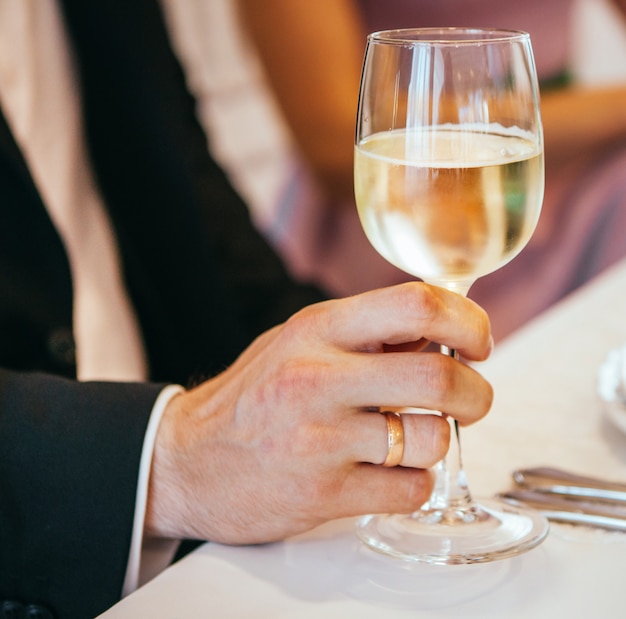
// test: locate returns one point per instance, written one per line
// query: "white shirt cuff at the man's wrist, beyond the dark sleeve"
(148, 557)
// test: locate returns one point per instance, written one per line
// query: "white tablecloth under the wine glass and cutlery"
(546, 412)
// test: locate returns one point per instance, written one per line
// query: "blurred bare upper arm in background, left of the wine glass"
(313, 53)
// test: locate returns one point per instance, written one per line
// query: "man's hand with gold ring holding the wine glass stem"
(291, 434)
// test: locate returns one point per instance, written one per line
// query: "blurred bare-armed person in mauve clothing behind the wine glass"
(312, 55)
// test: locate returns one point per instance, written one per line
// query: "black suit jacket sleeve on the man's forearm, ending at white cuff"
(68, 477)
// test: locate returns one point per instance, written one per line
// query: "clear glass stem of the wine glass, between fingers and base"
(451, 491)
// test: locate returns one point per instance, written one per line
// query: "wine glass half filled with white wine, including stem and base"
(449, 180)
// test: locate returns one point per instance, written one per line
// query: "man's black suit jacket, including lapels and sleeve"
(203, 282)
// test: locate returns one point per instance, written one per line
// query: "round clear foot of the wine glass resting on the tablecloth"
(482, 532)
